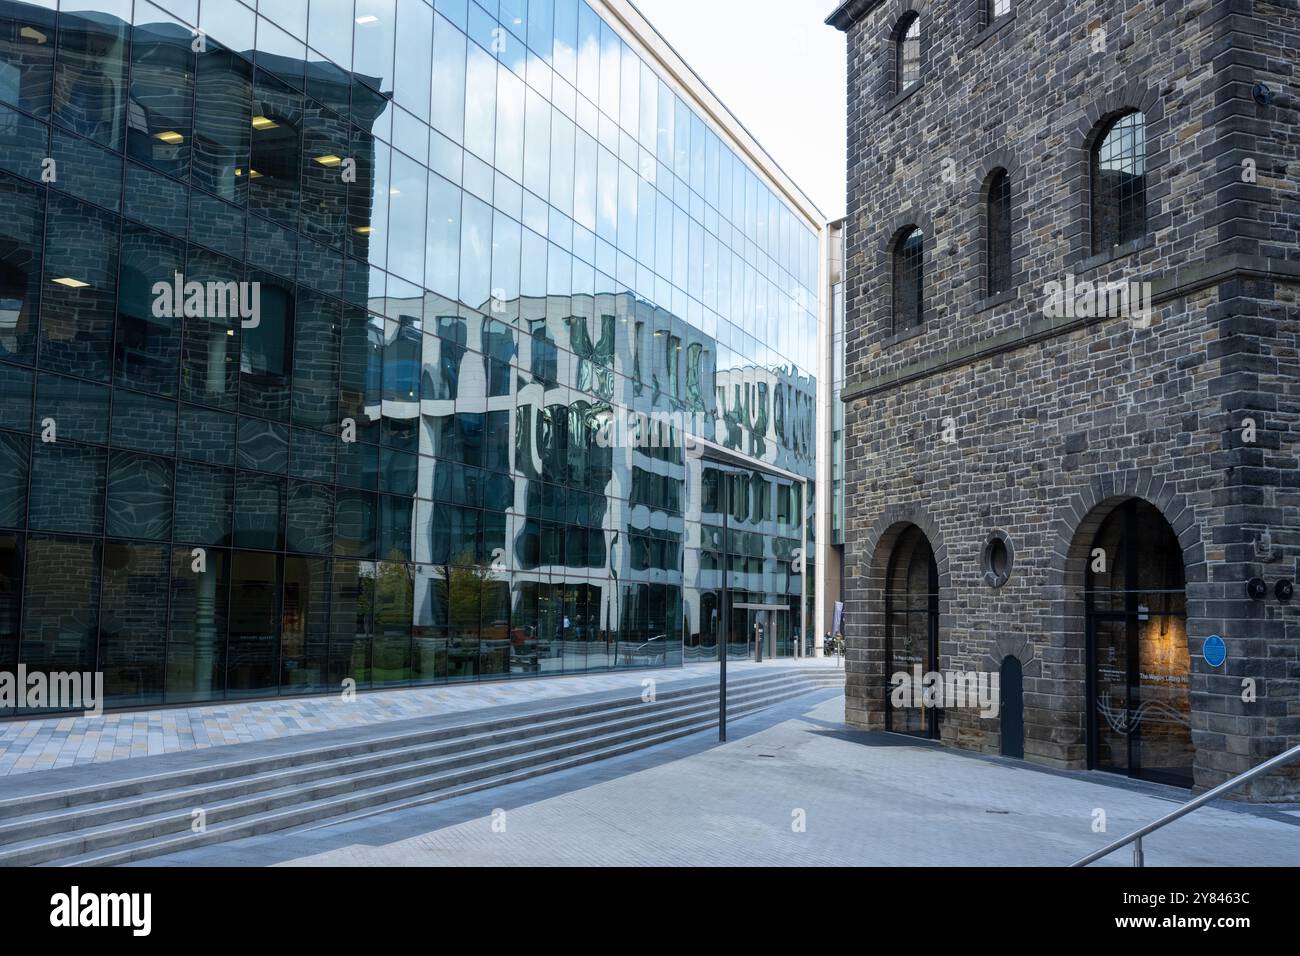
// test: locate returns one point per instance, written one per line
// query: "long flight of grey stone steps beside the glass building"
(144, 817)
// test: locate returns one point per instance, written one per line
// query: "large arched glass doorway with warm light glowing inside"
(1139, 665)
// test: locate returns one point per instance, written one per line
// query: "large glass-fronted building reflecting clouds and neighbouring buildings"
(502, 257)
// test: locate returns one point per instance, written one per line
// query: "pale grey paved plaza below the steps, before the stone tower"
(865, 799)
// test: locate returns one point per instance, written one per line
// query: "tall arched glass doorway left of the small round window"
(912, 628)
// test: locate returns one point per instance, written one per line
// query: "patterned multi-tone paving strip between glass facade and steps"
(46, 745)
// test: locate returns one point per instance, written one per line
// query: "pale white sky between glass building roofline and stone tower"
(781, 71)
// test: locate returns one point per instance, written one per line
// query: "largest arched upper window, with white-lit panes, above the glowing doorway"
(1120, 184)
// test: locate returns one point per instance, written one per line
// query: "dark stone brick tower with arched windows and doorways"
(1077, 491)
